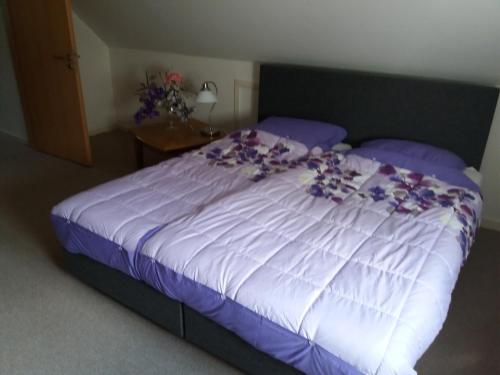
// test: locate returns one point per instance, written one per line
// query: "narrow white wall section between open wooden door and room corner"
(95, 73)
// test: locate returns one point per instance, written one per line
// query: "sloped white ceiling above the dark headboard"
(456, 39)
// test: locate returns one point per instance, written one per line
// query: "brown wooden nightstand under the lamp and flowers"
(172, 140)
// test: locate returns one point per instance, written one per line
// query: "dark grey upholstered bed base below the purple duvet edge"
(175, 317)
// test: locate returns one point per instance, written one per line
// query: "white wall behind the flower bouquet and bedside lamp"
(128, 70)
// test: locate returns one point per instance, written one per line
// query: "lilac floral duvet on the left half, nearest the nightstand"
(111, 222)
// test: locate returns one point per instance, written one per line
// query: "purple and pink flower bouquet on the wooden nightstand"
(168, 94)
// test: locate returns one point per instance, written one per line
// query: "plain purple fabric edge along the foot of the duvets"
(258, 331)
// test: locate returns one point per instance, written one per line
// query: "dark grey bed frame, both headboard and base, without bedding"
(451, 115)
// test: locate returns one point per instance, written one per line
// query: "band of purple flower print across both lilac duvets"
(405, 192)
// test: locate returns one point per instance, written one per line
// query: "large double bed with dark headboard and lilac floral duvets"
(279, 260)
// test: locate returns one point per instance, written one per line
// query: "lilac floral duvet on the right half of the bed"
(342, 265)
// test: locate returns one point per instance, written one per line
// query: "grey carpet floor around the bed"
(50, 323)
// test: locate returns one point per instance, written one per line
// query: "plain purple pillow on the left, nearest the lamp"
(308, 132)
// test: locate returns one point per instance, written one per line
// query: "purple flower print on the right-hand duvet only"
(405, 192)
